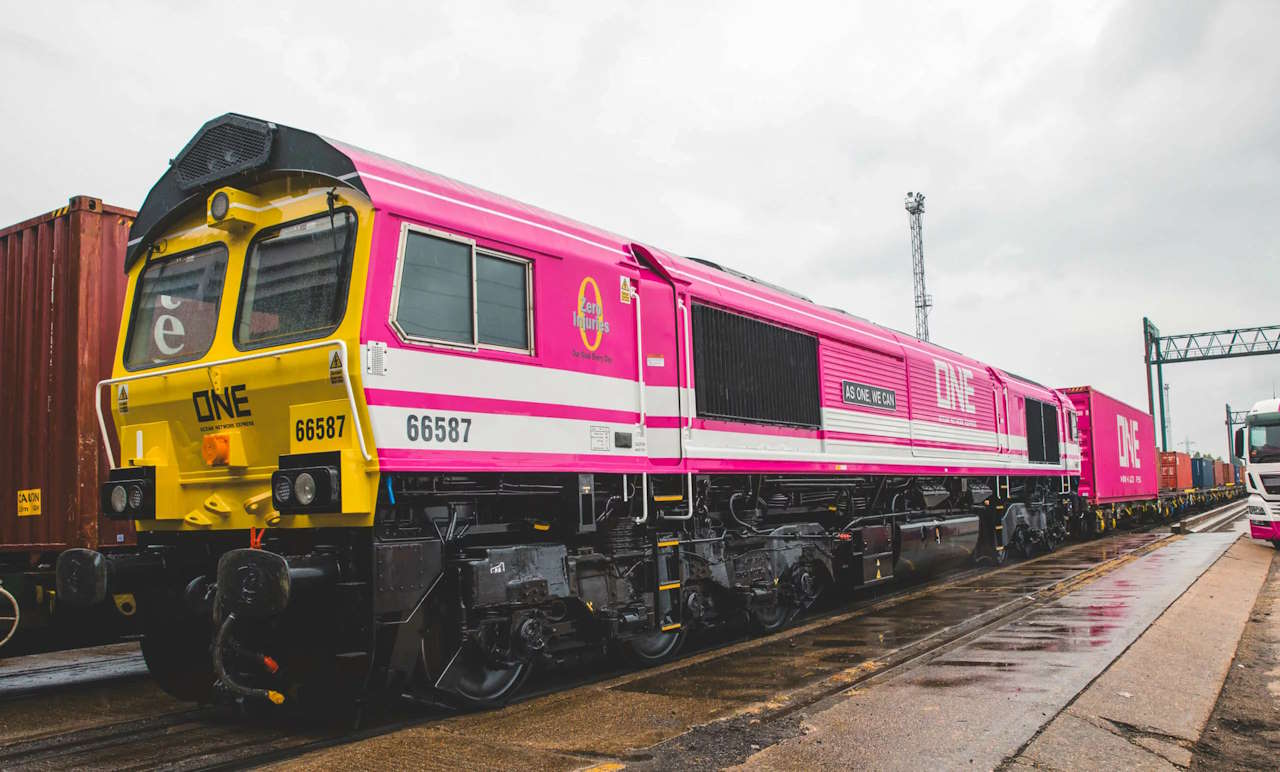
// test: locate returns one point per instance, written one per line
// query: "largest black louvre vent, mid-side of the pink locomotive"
(749, 371)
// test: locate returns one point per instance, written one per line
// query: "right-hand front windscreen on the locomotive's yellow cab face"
(296, 281)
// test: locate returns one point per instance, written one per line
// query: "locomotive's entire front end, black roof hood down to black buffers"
(235, 414)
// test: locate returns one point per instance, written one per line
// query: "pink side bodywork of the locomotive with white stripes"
(568, 405)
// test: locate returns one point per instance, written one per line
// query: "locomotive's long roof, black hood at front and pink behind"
(240, 150)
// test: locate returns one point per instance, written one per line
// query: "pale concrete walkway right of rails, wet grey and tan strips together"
(1103, 678)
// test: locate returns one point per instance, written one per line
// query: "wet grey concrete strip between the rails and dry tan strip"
(981, 701)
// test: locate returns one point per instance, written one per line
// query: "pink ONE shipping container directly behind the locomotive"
(1118, 449)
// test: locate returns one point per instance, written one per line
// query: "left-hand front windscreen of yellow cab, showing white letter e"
(176, 308)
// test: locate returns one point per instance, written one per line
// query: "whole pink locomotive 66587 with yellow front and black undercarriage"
(481, 436)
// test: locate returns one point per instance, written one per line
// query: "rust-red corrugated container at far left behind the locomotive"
(62, 289)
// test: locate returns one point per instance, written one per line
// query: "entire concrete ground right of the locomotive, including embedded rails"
(1114, 669)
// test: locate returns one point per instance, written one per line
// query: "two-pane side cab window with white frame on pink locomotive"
(451, 293)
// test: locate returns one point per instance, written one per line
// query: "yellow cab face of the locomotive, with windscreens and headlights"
(235, 360)
